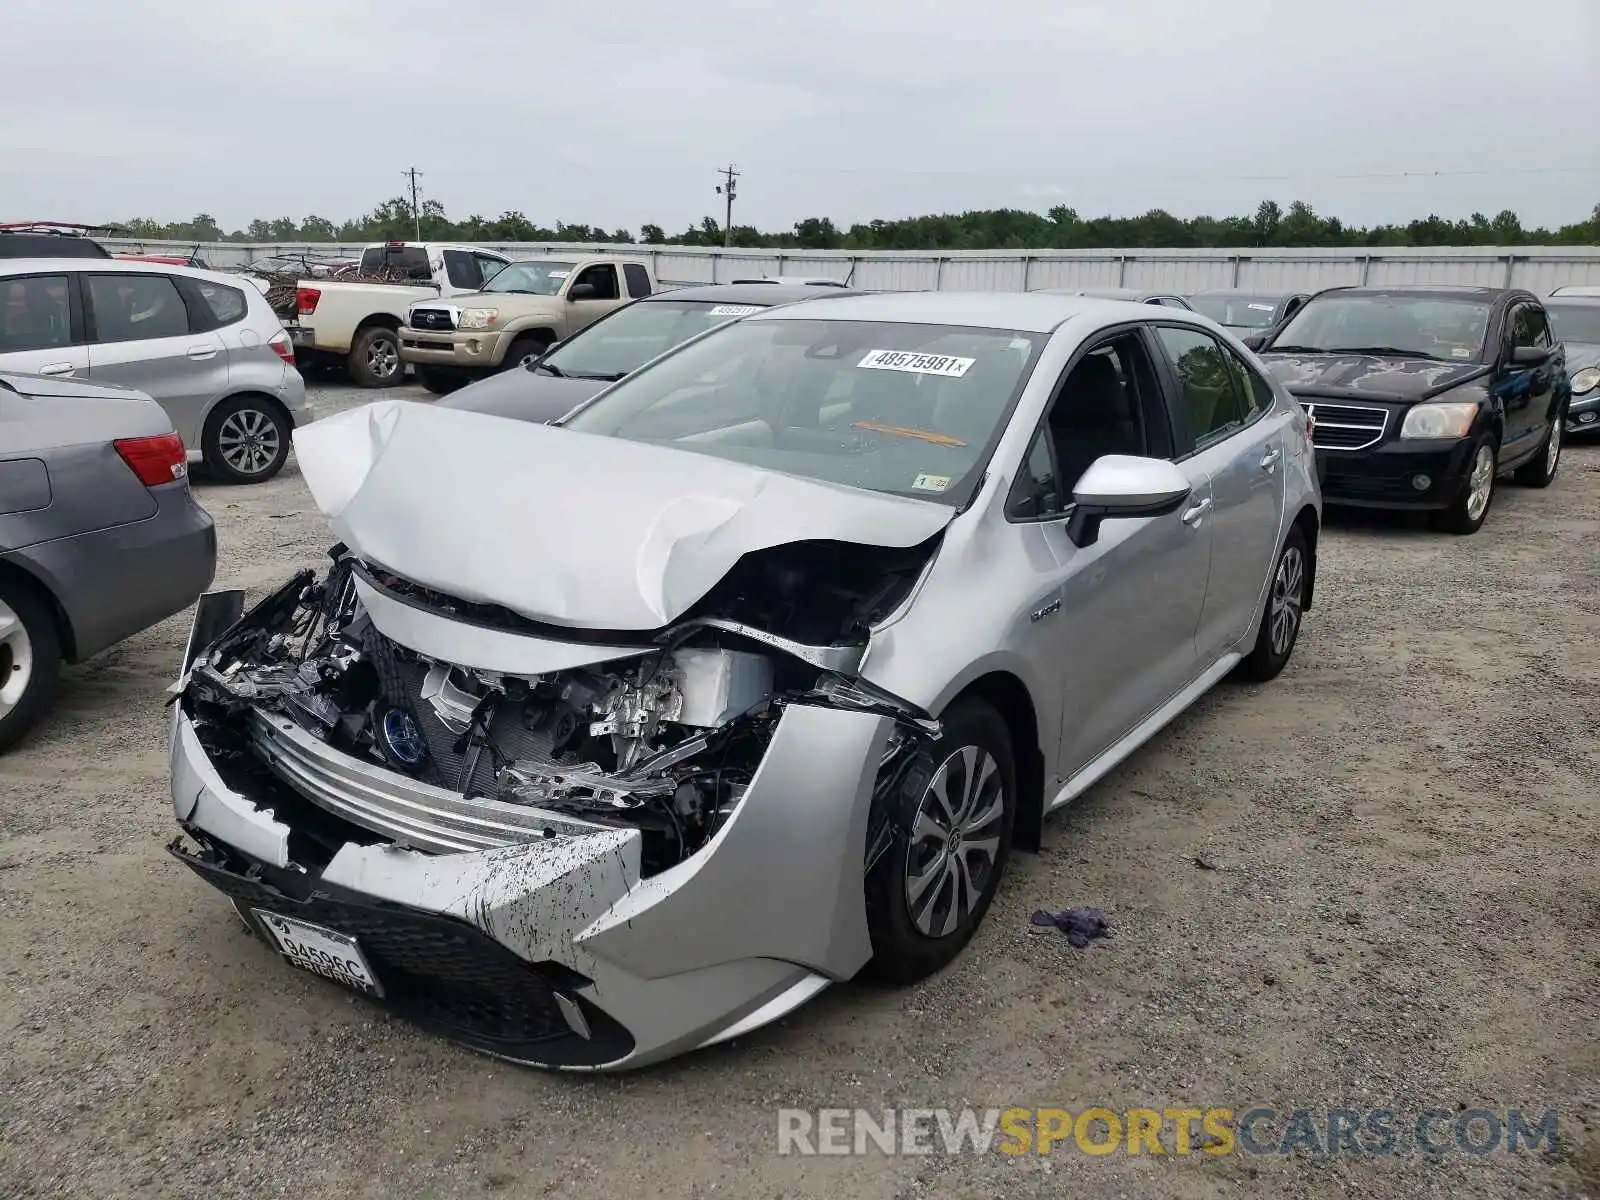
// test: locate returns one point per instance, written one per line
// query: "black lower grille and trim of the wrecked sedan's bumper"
(438, 972)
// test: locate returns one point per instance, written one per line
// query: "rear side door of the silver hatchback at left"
(137, 343)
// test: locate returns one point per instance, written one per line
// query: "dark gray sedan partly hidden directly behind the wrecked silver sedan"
(620, 343)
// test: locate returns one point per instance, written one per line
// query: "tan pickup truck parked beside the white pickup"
(516, 318)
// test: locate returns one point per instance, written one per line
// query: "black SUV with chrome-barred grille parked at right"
(1423, 396)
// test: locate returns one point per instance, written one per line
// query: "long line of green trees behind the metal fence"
(983, 230)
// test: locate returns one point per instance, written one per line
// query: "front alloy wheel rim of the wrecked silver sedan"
(954, 841)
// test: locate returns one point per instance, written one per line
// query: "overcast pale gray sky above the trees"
(618, 113)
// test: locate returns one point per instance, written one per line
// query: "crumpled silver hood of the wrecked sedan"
(562, 527)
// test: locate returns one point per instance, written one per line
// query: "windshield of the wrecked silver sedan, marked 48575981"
(911, 410)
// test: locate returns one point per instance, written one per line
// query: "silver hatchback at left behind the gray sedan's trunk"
(204, 345)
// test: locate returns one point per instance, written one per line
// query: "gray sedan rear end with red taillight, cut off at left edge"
(100, 535)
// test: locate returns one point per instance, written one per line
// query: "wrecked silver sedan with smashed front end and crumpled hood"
(607, 742)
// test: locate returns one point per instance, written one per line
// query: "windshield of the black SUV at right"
(1417, 327)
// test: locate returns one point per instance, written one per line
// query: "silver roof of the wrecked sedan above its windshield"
(1023, 311)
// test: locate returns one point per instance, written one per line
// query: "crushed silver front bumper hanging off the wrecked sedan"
(514, 929)
